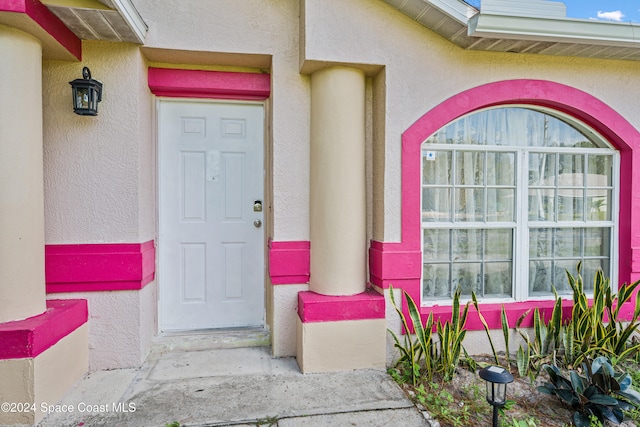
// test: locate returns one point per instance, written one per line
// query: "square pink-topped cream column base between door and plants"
(340, 333)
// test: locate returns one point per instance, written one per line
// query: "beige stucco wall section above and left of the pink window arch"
(422, 70)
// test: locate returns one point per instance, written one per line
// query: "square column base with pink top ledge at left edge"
(45, 356)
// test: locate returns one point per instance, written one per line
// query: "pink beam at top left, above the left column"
(45, 19)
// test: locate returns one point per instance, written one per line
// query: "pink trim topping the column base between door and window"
(313, 307)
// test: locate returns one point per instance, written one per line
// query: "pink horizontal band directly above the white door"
(209, 84)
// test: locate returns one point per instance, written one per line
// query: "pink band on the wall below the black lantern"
(99, 267)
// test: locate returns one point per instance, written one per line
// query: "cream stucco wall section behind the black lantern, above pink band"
(99, 171)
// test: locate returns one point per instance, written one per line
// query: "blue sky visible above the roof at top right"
(605, 10)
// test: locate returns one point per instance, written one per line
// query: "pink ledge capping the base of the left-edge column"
(30, 337)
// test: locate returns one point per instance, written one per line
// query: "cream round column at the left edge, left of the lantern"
(22, 283)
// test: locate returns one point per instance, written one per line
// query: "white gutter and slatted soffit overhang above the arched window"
(536, 27)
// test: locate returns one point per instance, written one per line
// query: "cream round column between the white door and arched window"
(337, 193)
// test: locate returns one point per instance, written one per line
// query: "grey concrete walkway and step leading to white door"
(234, 386)
